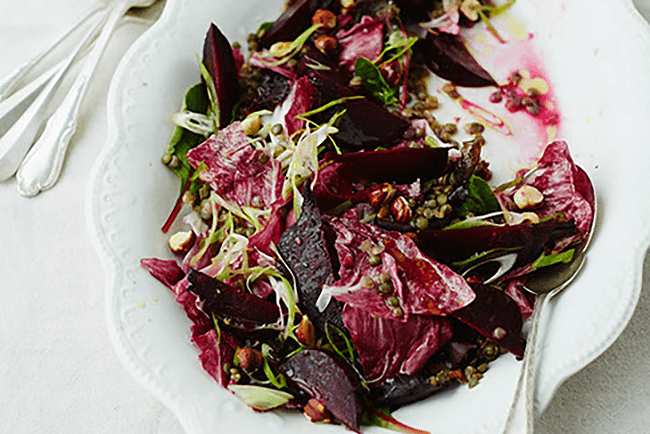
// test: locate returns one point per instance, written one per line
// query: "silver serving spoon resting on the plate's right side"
(545, 285)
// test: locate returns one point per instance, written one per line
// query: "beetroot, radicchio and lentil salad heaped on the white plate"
(343, 249)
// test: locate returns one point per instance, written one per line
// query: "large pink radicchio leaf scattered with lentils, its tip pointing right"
(421, 285)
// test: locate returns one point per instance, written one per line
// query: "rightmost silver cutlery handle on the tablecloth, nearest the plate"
(41, 168)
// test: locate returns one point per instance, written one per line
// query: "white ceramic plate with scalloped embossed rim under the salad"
(597, 57)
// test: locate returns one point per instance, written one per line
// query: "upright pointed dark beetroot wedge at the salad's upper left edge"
(220, 63)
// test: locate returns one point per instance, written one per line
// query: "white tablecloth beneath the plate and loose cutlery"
(58, 372)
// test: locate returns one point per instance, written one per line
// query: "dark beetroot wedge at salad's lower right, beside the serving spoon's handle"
(496, 316)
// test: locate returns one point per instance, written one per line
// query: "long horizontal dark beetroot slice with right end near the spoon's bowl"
(457, 244)
